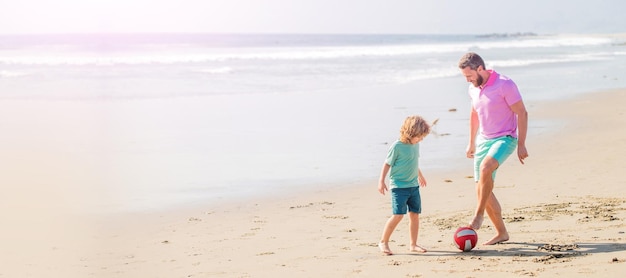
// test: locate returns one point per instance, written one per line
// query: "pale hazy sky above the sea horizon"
(313, 16)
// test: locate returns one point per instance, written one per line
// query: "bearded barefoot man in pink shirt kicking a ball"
(499, 112)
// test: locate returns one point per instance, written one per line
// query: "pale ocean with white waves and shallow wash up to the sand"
(158, 120)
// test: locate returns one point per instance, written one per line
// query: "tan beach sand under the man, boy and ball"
(565, 211)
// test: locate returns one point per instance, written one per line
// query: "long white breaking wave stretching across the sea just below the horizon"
(205, 55)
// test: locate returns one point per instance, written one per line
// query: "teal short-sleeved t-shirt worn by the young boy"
(403, 159)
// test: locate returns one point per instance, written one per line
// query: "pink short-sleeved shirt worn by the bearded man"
(492, 103)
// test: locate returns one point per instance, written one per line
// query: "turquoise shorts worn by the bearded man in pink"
(499, 148)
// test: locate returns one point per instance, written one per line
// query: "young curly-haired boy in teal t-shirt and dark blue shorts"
(405, 179)
